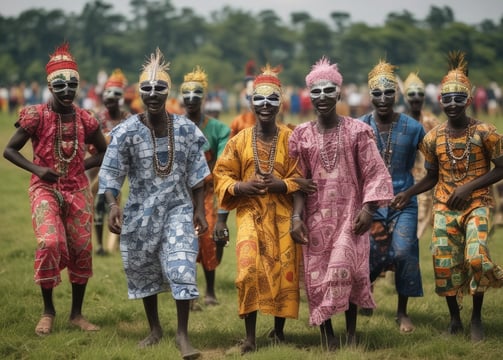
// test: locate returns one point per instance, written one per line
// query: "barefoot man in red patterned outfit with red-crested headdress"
(61, 200)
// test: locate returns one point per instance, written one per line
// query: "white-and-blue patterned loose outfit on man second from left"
(157, 243)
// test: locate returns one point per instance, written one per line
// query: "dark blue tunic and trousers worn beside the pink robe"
(400, 251)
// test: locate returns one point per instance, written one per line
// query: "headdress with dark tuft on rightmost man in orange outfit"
(456, 80)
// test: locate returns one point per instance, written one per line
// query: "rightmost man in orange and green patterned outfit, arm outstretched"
(458, 156)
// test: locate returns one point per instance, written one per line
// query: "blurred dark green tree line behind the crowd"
(102, 38)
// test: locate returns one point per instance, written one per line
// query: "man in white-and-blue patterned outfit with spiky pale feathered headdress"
(162, 156)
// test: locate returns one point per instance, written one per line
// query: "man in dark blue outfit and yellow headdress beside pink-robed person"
(393, 243)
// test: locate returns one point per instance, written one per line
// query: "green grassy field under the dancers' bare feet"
(214, 330)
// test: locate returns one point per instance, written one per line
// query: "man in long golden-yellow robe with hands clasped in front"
(255, 176)
